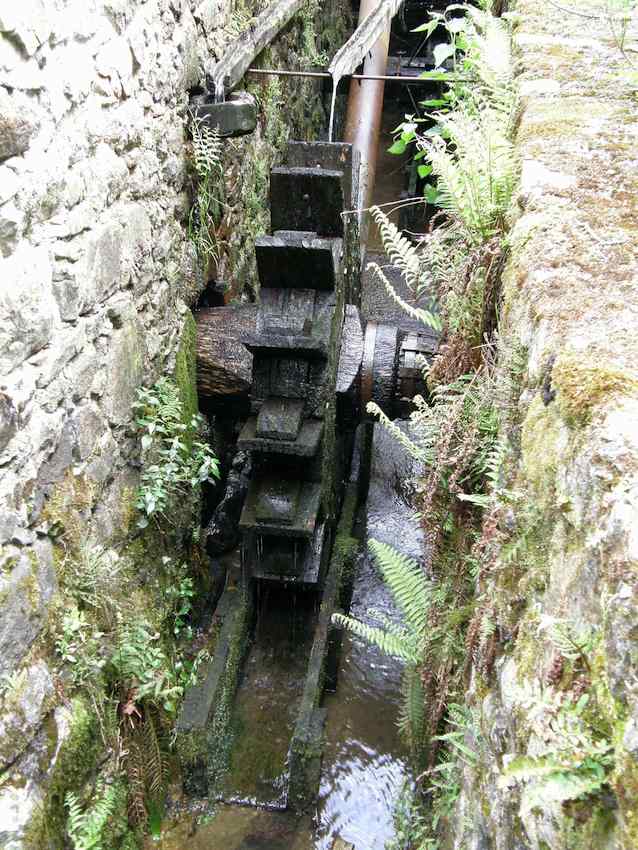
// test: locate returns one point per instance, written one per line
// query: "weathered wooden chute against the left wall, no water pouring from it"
(241, 53)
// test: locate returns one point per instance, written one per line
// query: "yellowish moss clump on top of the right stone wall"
(582, 385)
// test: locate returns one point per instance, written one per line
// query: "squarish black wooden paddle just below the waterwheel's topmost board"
(307, 199)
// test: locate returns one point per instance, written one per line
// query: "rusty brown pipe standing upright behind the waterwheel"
(363, 120)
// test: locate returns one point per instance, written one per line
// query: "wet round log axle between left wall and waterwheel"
(224, 364)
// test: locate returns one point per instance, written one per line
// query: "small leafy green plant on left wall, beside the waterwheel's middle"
(177, 461)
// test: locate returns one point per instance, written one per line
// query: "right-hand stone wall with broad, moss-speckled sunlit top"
(566, 554)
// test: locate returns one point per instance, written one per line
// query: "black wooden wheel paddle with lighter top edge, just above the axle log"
(292, 260)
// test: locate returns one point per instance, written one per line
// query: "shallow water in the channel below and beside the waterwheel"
(364, 767)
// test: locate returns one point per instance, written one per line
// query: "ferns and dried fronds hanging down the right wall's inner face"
(466, 147)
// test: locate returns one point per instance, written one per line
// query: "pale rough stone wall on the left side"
(96, 280)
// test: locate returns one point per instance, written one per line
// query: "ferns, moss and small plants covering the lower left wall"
(121, 630)
